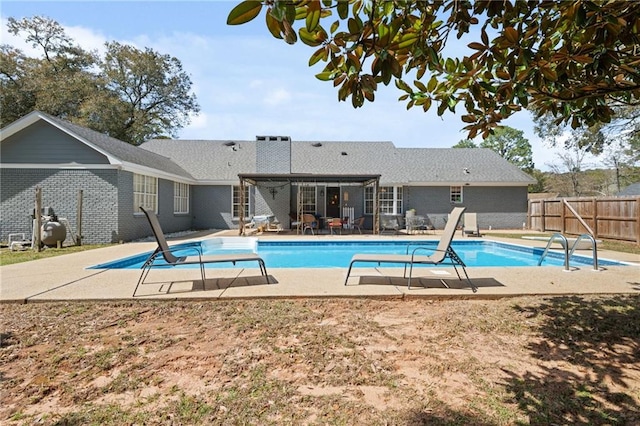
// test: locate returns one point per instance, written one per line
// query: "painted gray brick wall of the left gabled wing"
(107, 204)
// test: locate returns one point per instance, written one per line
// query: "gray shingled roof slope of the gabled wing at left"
(121, 150)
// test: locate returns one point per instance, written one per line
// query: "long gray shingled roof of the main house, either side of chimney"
(211, 160)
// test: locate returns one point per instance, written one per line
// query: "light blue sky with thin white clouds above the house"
(248, 83)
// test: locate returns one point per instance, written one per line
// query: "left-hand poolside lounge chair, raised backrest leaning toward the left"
(178, 255)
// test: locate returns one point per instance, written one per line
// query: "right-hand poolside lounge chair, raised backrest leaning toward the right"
(443, 253)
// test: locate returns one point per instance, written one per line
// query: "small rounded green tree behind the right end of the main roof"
(511, 145)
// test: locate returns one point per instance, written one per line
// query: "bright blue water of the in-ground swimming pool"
(337, 254)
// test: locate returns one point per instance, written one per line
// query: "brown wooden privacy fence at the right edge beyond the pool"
(615, 218)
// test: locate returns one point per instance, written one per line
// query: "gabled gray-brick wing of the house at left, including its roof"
(39, 150)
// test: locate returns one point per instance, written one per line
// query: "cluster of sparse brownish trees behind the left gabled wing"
(129, 94)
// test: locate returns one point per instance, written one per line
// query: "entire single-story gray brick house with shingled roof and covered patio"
(217, 184)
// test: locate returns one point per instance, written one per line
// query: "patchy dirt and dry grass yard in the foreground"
(527, 360)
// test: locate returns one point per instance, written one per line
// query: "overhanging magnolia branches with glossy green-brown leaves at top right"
(575, 60)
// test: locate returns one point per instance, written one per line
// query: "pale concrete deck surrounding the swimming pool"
(66, 277)
